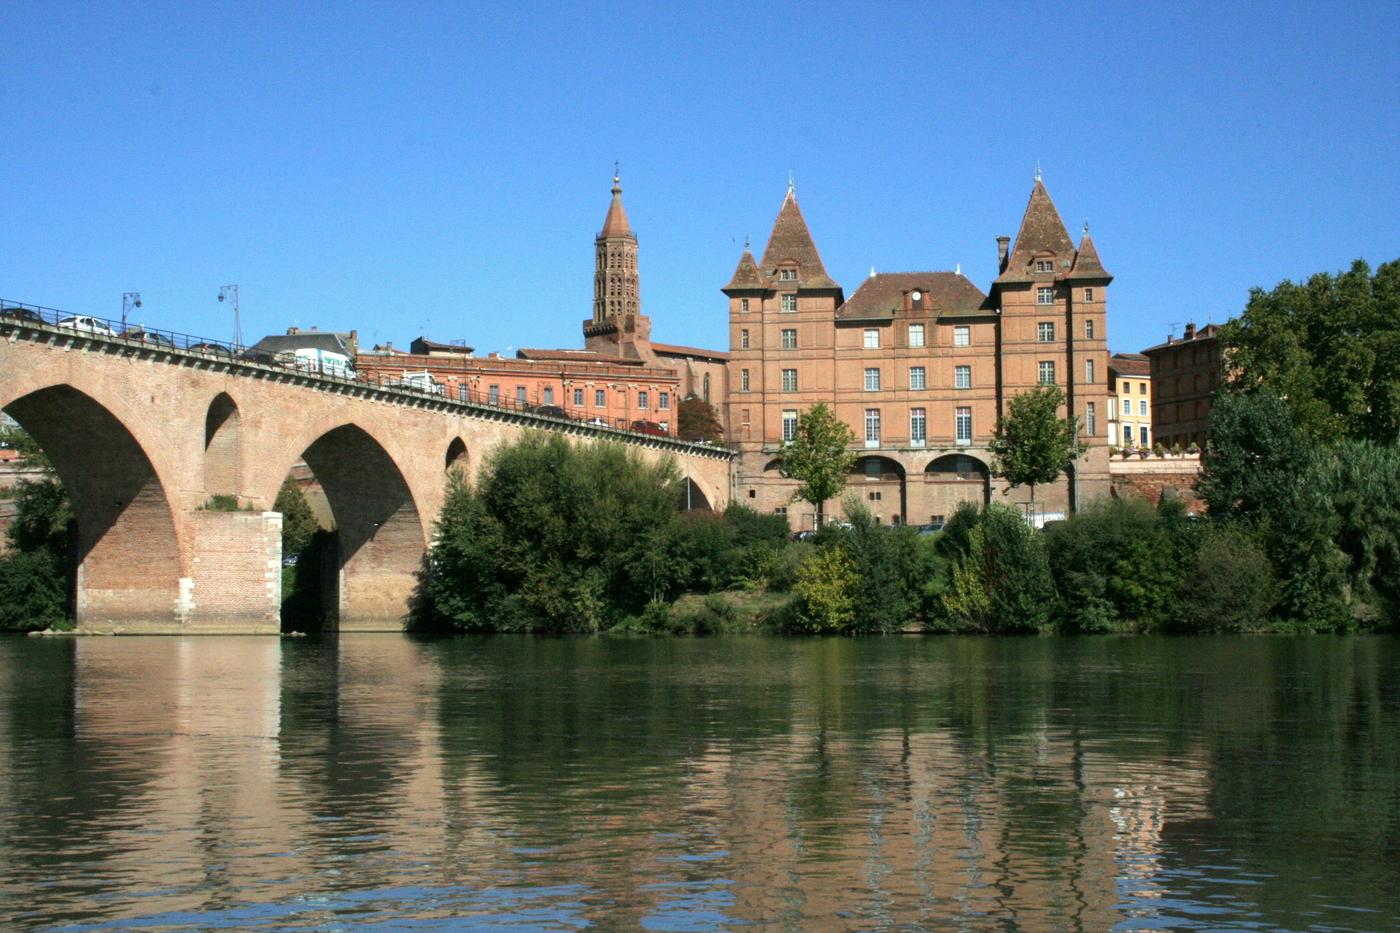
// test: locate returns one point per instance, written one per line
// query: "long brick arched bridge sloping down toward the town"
(143, 436)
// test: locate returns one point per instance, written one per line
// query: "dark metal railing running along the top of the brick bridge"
(159, 338)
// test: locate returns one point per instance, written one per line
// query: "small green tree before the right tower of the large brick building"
(1032, 445)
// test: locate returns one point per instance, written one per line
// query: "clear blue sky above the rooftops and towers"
(443, 169)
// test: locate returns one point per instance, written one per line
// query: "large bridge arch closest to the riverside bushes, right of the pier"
(380, 530)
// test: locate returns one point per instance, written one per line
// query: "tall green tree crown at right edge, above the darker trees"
(1331, 347)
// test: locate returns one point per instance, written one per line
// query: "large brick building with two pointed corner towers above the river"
(919, 365)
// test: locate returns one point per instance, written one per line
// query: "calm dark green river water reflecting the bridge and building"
(514, 784)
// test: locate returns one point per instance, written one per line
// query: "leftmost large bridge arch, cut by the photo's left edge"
(127, 544)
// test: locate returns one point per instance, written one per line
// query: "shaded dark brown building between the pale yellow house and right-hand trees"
(1186, 373)
